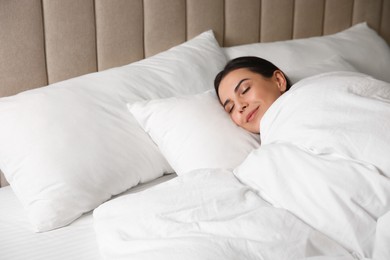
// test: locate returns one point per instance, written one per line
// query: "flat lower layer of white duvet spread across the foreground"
(205, 214)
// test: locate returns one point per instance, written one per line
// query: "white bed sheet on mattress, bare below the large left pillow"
(76, 241)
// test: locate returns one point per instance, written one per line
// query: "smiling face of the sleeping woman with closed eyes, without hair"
(247, 95)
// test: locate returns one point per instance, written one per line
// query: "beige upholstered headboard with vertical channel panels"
(45, 41)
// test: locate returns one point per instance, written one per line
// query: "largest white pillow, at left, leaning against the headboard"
(68, 147)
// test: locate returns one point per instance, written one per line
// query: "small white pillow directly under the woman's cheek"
(194, 132)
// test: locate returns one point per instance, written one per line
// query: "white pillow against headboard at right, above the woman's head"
(359, 45)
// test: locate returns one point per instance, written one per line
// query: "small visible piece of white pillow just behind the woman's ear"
(335, 63)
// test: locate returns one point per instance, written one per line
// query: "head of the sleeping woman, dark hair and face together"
(247, 87)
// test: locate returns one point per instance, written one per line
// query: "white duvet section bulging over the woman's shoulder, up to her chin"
(343, 113)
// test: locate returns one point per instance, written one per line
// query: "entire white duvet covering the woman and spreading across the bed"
(318, 188)
